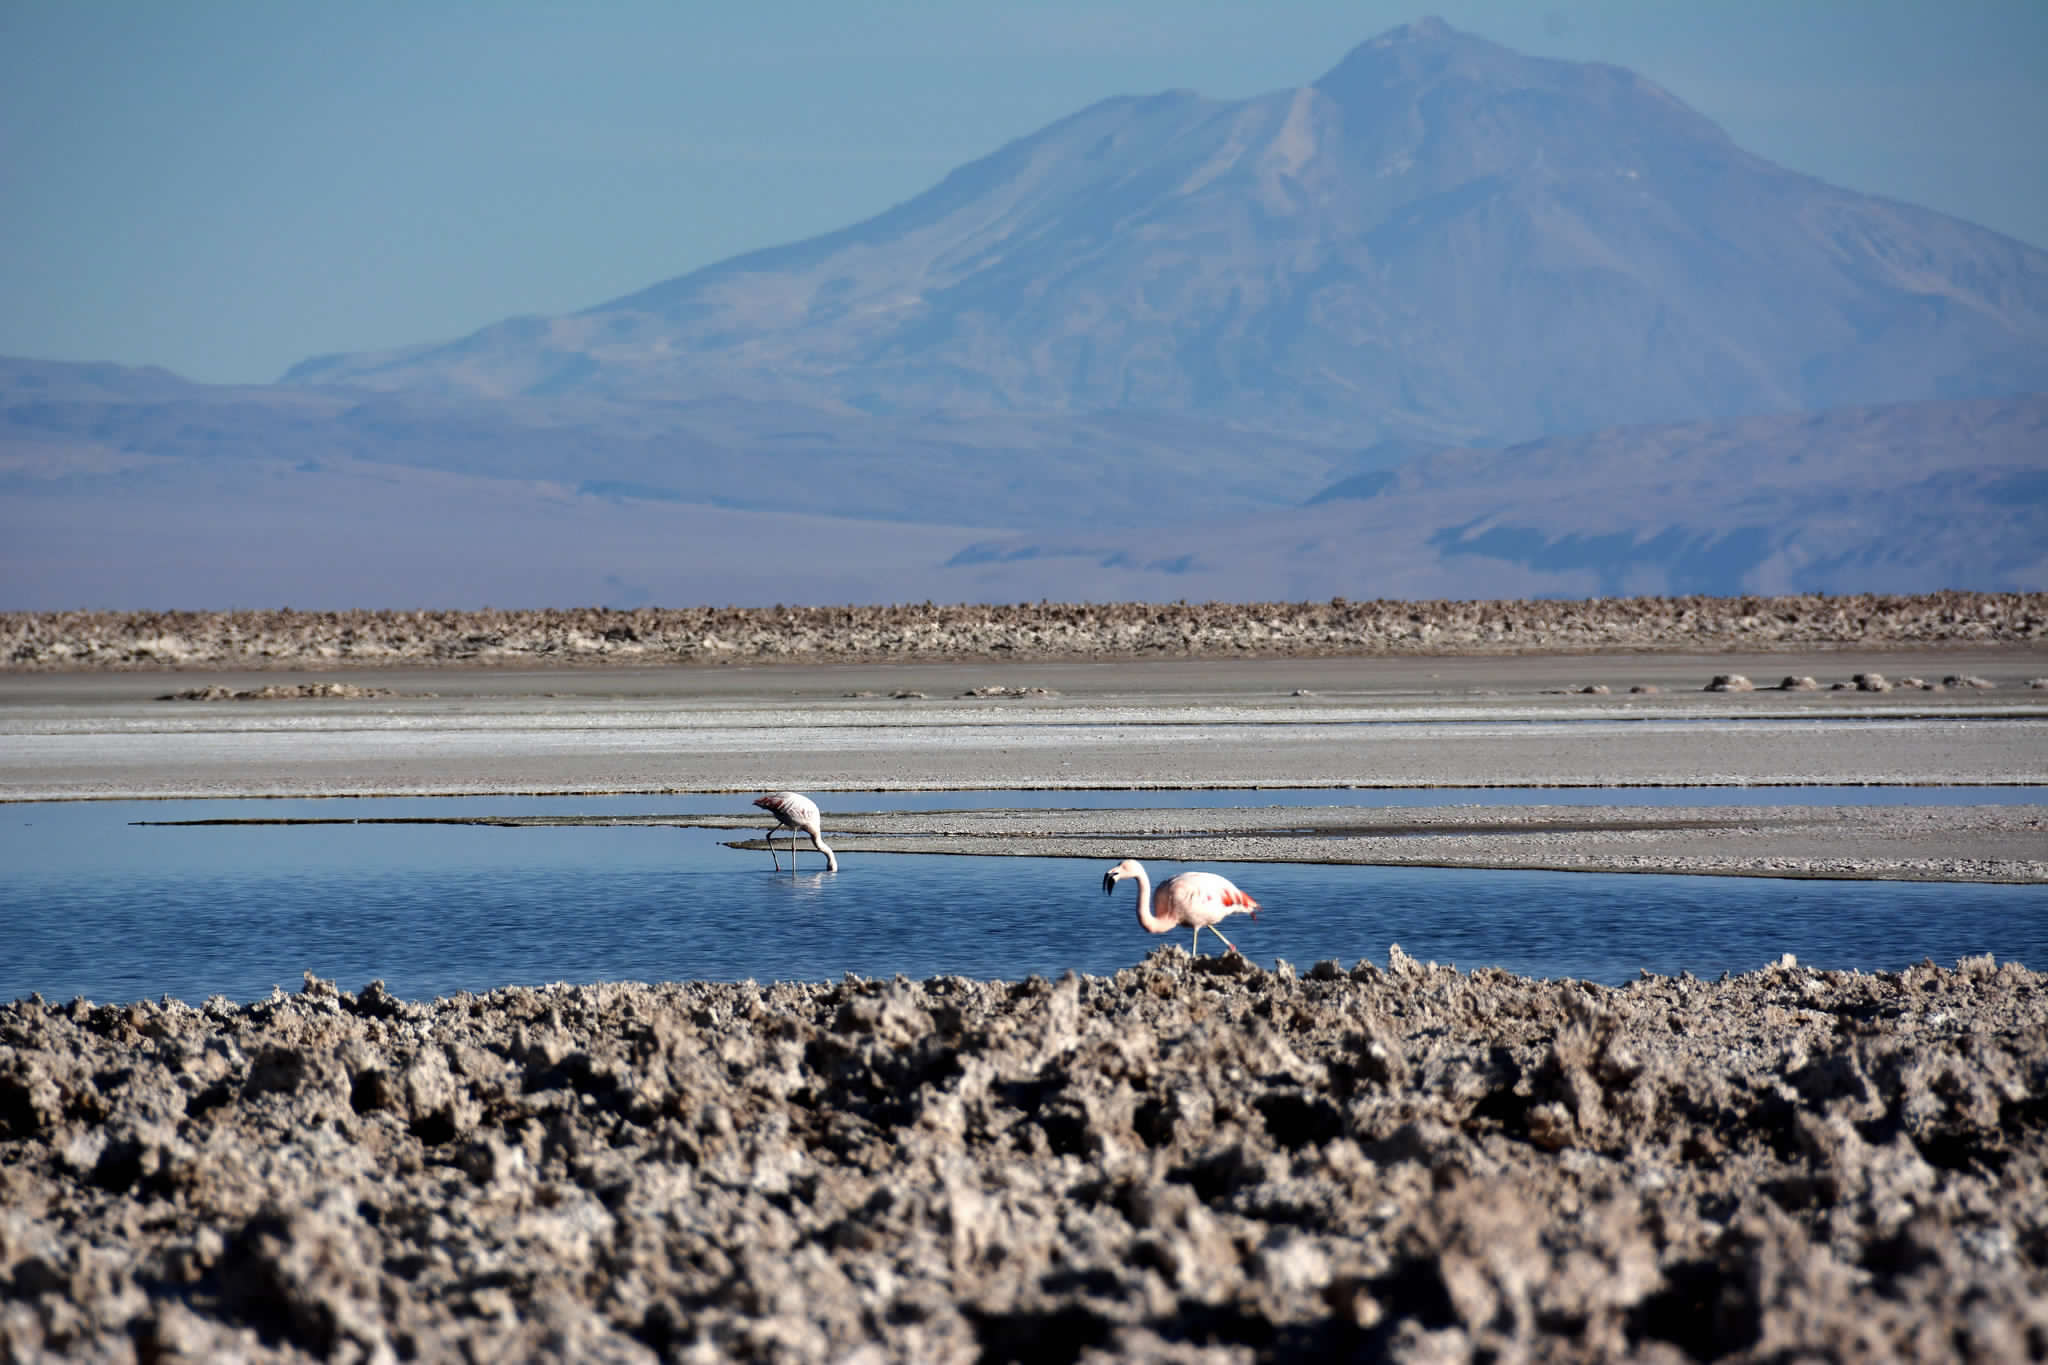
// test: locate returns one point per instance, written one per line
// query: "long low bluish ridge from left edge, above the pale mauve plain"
(1002, 472)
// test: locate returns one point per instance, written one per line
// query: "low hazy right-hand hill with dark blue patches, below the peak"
(1854, 500)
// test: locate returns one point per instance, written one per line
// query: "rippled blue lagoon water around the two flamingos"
(97, 906)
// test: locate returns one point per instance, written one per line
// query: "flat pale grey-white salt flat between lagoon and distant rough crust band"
(1496, 721)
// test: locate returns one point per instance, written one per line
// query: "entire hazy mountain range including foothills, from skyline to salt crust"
(1449, 322)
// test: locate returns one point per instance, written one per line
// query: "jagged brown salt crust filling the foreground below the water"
(1189, 1161)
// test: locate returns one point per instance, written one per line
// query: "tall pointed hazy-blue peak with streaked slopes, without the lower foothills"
(1441, 243)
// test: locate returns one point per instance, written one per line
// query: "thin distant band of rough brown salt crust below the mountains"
(1043, 631)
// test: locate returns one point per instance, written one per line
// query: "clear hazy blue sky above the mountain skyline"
(226, 187)
